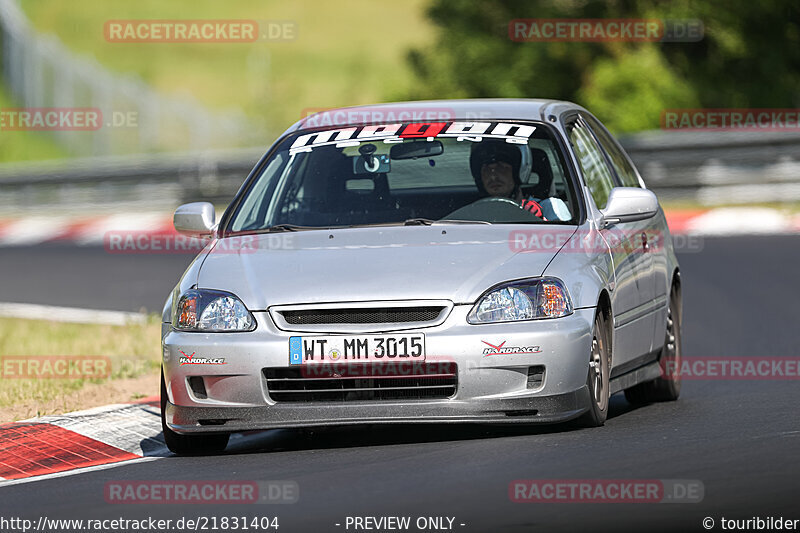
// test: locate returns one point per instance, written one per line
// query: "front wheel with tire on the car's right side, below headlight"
(597, 379)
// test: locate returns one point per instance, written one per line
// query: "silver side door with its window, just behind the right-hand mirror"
(633, 330)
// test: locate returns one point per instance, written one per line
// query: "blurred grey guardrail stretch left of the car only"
(124, 183)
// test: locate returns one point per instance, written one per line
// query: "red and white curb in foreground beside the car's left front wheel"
(62, 443)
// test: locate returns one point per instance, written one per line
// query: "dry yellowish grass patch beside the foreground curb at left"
(133, 351)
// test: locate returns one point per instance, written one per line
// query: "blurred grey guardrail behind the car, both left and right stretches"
(707, 168)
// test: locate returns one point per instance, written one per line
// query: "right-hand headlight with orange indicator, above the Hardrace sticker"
(529, 299)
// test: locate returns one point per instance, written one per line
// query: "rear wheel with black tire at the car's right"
(667, 387)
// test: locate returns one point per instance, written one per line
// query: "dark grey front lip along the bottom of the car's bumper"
(526, 410)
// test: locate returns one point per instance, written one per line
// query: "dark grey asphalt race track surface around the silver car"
(741, 439)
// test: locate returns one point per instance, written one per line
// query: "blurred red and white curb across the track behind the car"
(79, 230)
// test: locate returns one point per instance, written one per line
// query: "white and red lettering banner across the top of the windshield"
(395, 133)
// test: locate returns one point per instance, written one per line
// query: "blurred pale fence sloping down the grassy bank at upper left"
(40, 72)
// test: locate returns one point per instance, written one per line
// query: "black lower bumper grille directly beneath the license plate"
(362, 382)
